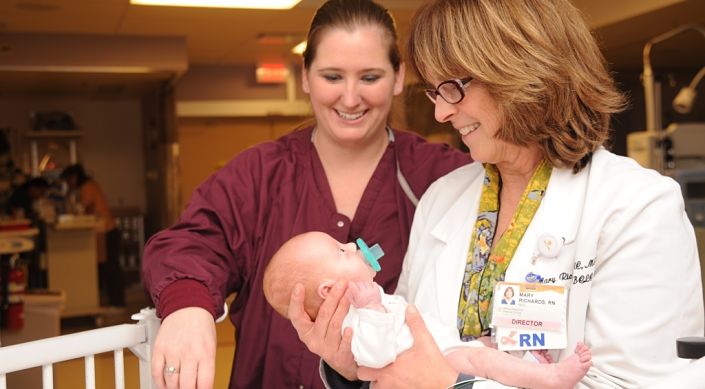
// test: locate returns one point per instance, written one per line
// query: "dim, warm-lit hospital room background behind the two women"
(151, 100)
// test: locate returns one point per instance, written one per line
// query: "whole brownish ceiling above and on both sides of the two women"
(234, 37)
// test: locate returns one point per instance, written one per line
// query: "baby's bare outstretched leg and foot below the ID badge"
(512, 371)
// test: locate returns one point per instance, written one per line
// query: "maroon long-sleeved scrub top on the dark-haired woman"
(240, 216)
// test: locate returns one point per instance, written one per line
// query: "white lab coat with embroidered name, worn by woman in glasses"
(641, 292)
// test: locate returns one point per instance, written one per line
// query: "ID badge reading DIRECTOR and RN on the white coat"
(529, 316)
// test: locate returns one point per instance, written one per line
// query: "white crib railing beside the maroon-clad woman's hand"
(137, 337)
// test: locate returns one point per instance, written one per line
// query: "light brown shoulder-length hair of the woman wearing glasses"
(537, 59)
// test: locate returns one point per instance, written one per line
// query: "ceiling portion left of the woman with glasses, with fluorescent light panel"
(214, 36)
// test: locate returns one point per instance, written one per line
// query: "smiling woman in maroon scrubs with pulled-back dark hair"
(348, 175)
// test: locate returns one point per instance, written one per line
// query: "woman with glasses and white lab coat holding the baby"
(527, 88)
